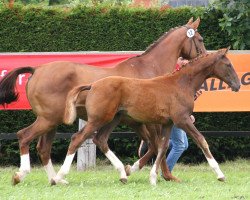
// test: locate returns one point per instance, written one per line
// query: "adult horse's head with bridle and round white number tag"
(193, 44)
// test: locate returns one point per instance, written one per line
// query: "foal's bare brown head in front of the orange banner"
(224, 70)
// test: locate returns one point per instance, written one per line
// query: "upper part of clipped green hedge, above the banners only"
(39, 29)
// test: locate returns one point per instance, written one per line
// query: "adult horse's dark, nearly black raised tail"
(8, 92)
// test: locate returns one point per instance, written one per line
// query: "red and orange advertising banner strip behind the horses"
(216, 96)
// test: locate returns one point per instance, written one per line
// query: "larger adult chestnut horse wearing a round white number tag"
(50, 83)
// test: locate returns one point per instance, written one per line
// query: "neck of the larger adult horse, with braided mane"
(159, 60)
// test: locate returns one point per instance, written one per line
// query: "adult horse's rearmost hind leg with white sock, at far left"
(25, 136)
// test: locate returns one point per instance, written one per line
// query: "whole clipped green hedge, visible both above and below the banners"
(40, 29)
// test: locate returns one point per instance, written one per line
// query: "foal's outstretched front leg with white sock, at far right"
(187, 125)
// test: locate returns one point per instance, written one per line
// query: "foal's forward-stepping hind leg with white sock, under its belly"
(101, 139)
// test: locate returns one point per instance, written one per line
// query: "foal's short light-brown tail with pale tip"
(70, 108)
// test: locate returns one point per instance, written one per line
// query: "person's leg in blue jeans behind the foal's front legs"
(178, 144)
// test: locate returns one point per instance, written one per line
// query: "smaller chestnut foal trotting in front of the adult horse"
(162, 100)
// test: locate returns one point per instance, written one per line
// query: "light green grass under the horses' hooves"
(198, 182)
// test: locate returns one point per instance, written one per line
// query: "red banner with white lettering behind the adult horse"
(11, 61)
